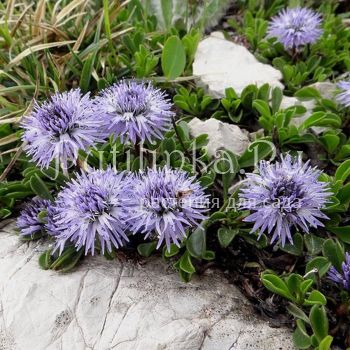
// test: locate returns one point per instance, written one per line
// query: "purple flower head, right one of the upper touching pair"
(137, 111)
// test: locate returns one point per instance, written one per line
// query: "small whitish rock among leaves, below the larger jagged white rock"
(220, 135)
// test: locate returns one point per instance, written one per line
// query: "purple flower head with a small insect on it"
(165, 202)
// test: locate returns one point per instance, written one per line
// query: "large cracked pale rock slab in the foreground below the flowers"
(122, 306)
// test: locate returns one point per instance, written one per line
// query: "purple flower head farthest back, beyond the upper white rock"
(296, 27)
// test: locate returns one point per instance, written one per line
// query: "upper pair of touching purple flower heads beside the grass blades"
(70, 121)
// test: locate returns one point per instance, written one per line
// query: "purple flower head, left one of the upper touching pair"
(59, 127)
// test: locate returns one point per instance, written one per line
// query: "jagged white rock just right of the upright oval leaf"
(220, 64)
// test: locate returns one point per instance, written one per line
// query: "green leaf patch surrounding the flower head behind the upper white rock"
(327, 58)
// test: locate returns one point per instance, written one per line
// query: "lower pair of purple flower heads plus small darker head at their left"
(102, 208)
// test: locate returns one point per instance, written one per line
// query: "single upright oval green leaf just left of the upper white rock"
(173, 58)
